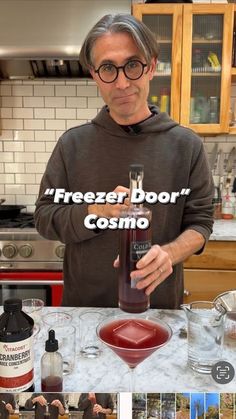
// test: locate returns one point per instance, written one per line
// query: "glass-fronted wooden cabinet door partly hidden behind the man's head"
(165, 21)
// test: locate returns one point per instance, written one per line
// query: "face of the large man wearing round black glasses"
(126, 99)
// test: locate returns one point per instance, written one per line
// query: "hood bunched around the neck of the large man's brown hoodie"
(159, 122)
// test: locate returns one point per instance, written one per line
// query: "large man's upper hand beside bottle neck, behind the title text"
(110, 210)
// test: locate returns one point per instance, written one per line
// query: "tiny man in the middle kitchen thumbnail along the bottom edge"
(54, 401)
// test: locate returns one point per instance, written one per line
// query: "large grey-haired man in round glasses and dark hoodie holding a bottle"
(121, 54)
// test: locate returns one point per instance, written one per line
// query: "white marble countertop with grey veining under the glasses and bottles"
(165, 370)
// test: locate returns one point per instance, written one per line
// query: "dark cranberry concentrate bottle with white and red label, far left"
(16, 348)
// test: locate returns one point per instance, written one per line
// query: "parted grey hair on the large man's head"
(141, 34)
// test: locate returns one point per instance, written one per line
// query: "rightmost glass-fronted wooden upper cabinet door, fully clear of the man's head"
(206, 67)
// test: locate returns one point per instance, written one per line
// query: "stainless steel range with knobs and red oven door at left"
(30, 266)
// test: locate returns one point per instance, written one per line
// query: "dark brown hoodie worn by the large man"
(96, 157)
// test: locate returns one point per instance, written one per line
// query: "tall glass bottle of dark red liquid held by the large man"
(134, 243)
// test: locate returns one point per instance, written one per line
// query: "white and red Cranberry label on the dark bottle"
(16, 365)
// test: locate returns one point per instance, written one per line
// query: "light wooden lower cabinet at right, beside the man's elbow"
(211, 273)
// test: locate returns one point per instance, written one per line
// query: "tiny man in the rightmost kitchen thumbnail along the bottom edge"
(95, 405)
